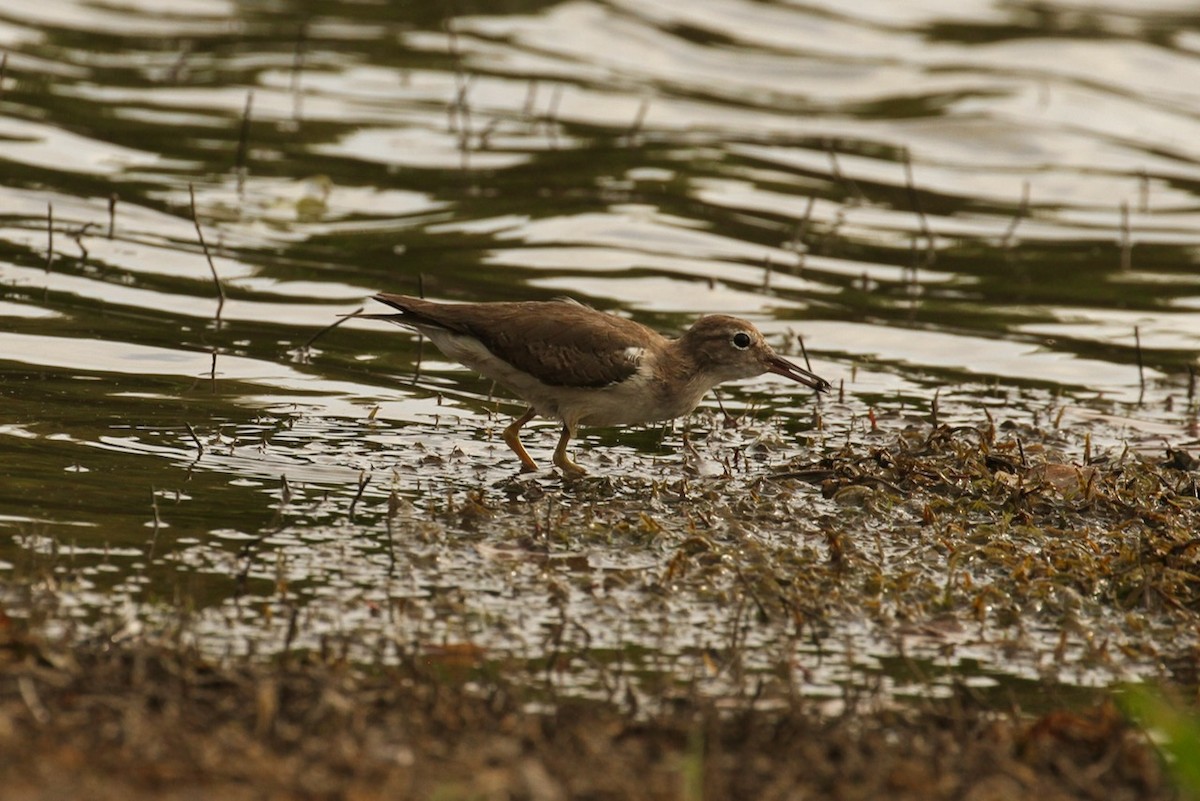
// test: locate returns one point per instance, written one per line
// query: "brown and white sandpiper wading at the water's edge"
(586, 368)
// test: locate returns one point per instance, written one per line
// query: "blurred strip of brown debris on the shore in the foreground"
(143, 721)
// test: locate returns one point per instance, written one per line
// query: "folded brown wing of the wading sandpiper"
(561, 344)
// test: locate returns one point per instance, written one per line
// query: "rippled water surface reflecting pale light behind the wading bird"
(997, 202)
